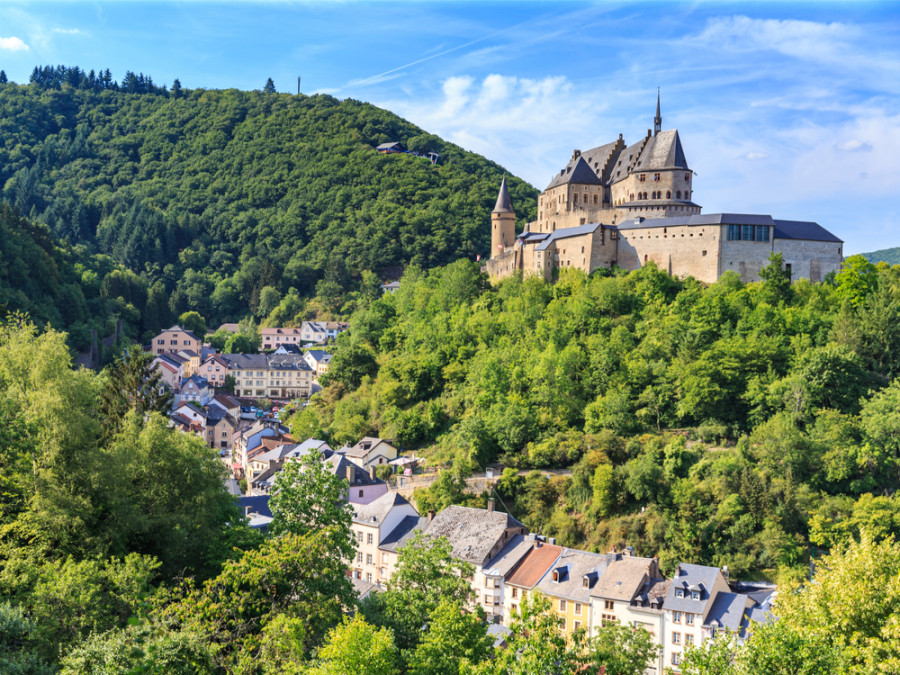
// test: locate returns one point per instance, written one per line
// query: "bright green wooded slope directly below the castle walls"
(735, 424)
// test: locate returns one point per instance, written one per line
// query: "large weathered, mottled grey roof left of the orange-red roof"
(472, 533)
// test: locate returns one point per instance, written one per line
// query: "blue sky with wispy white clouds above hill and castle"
(791, 109)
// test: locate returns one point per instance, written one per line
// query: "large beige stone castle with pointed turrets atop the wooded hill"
(618, 205)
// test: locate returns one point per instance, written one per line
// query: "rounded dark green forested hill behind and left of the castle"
(226, 200)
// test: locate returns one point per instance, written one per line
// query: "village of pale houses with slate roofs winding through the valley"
(587, 590)
